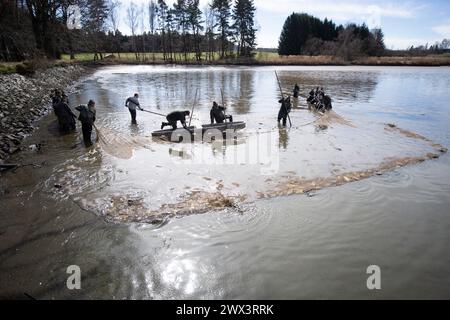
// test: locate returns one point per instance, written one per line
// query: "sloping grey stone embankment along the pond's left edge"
(23, 100)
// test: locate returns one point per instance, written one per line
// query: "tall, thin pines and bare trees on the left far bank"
(181, 31)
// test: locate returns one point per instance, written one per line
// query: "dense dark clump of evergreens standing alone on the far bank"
(303, 34)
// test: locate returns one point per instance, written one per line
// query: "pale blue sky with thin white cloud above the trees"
(404, 22)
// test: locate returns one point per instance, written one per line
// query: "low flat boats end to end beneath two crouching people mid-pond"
(212, 129)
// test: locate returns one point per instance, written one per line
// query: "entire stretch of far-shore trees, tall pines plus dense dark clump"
(181, 31)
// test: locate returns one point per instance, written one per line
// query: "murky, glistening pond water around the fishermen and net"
(212, 236)
